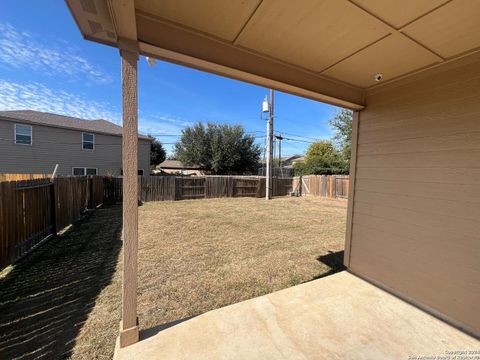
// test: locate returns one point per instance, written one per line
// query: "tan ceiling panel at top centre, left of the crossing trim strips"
(310, 33)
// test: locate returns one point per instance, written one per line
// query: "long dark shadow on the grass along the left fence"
(46, 299)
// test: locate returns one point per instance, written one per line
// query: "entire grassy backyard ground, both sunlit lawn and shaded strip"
(194, 256)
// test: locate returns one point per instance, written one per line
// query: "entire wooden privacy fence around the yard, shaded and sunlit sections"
(31, 211)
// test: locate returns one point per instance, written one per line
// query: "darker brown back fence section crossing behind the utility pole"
(159, 188)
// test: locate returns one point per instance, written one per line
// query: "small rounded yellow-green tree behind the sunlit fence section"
(322, 158)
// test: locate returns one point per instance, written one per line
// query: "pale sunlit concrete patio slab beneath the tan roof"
(336, 317)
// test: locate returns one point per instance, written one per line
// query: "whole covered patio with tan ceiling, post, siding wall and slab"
(410, 70)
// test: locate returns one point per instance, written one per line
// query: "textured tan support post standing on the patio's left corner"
(129, 323)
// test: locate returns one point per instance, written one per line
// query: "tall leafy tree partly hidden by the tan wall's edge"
(342, 124)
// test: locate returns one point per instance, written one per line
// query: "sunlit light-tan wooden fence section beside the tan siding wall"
(328, 186)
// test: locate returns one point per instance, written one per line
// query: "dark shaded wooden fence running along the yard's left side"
(31, 211)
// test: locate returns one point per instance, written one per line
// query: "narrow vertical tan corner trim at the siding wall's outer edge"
(351, 189)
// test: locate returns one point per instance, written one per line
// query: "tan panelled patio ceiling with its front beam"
(329, 50)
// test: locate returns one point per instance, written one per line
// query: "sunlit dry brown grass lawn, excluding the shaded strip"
(200, 255)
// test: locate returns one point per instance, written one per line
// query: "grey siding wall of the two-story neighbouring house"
(64, 147)
